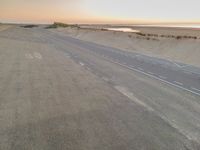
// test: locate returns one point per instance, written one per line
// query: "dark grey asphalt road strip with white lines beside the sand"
(166, 71)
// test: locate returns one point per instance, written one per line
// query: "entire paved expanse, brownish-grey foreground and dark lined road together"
(57, 92)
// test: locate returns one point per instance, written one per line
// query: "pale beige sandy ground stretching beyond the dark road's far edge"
(180, 50)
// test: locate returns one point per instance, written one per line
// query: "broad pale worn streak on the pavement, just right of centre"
(131, 96)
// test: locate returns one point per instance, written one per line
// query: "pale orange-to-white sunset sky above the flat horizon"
(100, 11)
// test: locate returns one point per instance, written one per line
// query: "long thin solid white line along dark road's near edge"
(157, 78)
